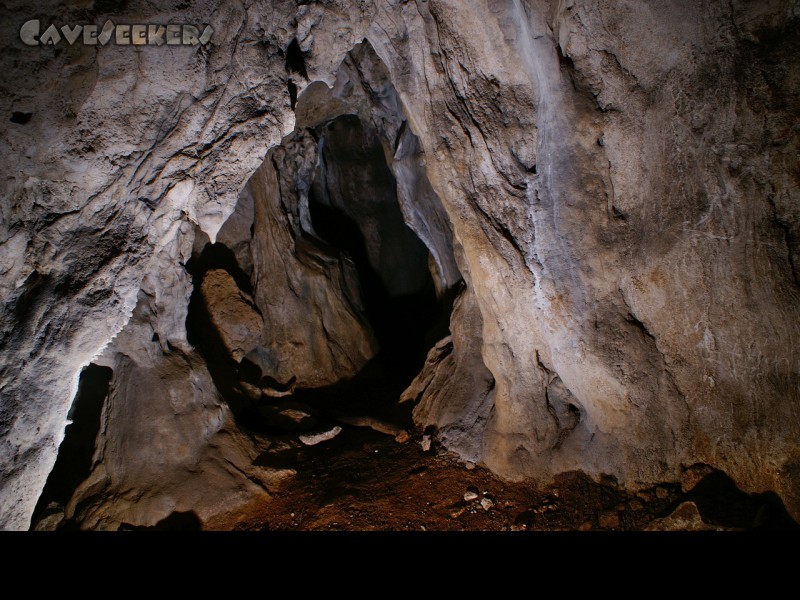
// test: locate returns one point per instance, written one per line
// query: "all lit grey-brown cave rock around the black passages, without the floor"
(615, 183)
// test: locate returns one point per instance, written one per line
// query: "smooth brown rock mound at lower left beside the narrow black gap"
(167, 443)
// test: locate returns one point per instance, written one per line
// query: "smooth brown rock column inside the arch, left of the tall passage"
(310, 333)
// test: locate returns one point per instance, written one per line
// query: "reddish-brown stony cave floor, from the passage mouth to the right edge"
(364, 480)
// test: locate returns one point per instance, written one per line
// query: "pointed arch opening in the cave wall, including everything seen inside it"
(343, 249)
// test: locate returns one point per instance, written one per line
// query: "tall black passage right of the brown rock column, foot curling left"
(355, 212)
